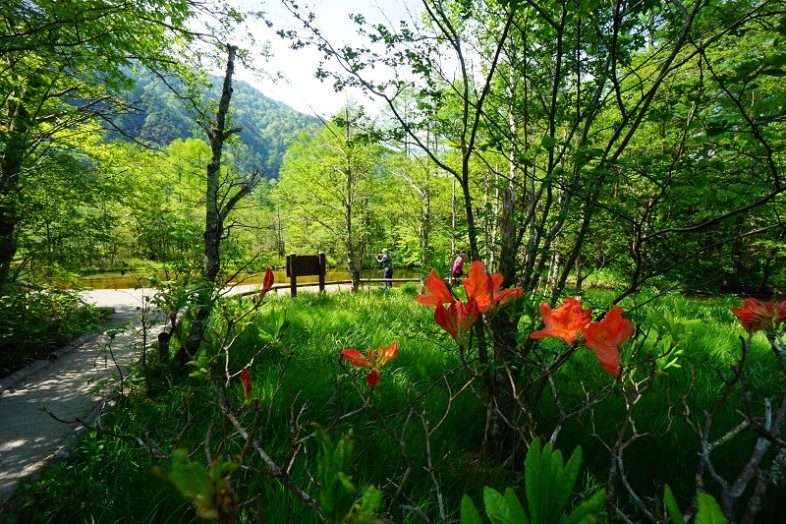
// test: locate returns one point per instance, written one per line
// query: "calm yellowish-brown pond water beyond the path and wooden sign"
(134, 279)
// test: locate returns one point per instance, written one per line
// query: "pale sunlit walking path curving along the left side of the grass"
(73, 383)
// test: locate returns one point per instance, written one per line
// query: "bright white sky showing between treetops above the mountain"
(300, 89)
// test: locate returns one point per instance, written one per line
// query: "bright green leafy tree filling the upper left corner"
(64, 63)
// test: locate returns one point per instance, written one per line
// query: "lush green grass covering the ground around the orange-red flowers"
(299, 380)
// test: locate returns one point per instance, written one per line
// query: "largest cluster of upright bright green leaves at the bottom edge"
(548, 486)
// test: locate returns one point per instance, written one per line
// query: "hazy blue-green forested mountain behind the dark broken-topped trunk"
(268, 127)
